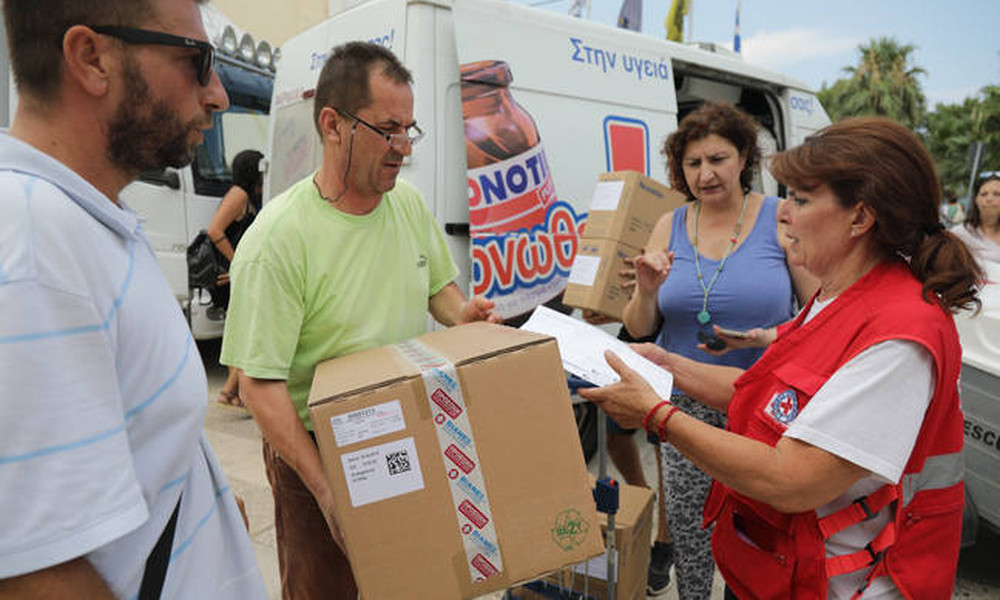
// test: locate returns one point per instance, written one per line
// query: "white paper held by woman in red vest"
(582, 349)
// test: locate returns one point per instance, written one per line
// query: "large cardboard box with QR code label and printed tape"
(455, 462)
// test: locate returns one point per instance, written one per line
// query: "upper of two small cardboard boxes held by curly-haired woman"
(626, 206)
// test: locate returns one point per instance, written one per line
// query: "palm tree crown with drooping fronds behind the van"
(883, 83)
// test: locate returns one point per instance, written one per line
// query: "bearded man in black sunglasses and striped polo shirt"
(109, 487)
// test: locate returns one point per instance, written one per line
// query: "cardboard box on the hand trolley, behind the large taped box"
(633, 537)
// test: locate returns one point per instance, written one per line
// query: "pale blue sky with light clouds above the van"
(957, 41)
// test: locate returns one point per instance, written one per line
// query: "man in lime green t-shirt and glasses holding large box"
(345, 260)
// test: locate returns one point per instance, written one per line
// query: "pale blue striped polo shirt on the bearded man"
(102, 397)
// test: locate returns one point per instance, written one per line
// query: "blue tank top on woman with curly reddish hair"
(753, 289)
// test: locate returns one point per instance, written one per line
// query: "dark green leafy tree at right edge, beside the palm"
(952, 128)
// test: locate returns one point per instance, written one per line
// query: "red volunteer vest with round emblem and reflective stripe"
(918, 549)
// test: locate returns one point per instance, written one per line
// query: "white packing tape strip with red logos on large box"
(461, 461)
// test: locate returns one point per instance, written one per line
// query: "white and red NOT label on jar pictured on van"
(510, 195)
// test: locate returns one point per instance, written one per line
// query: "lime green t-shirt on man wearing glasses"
(310, 282)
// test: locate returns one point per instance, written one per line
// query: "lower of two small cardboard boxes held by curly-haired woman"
(594, 281)
